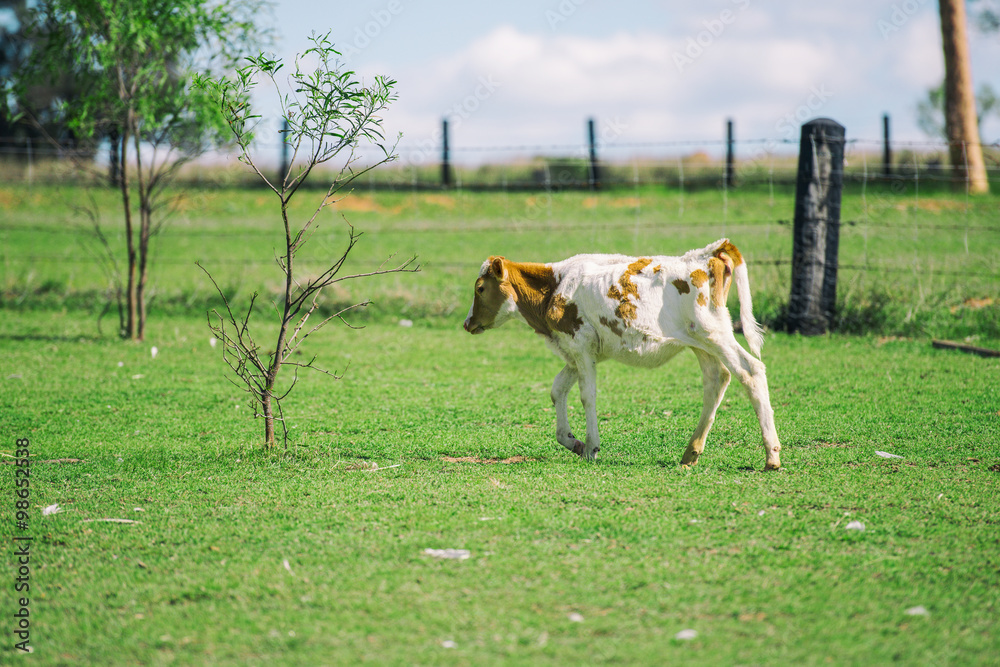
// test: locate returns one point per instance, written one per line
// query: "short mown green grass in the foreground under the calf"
(759, 564)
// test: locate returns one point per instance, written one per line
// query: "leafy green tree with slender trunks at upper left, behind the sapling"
(132, 63)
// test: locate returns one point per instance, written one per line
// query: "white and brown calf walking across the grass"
(640, 311)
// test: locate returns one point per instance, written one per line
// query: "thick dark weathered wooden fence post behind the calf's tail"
(813, 300)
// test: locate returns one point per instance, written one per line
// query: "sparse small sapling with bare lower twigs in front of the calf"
(327, 115)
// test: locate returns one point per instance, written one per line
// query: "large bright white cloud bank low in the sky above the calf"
(548, 84)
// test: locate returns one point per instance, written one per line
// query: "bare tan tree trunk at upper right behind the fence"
(961, 124)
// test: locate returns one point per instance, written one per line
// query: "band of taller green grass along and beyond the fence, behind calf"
(913, 263)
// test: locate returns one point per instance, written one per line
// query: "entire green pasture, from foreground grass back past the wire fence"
(437, 440)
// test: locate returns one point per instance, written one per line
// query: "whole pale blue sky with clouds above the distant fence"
(518, 78)
